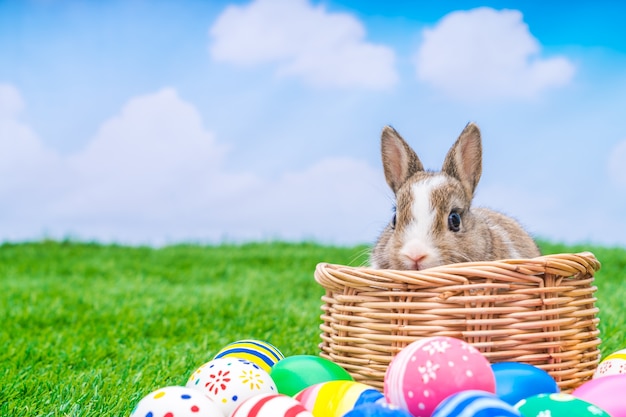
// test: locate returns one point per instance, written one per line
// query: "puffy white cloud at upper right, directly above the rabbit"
(487, 54)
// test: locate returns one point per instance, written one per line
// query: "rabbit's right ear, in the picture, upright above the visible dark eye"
(464, 159)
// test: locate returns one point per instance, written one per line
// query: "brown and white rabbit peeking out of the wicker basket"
(434, 223)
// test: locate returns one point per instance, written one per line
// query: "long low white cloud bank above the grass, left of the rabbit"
(154, 174)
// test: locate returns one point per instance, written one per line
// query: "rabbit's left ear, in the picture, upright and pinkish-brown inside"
(399, 161)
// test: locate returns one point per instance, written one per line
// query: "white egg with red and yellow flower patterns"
(230, 381)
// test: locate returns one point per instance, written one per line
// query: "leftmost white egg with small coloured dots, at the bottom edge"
(176, 402)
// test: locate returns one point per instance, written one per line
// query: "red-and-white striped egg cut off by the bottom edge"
(271, 405)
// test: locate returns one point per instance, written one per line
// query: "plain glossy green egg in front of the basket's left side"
(295, 373)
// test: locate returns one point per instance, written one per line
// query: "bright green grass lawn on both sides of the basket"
(88, 330)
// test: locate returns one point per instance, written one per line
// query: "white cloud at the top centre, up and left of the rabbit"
(324, 48)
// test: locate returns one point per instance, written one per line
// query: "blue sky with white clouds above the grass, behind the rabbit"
(163, 121)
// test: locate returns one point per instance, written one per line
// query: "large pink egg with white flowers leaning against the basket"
(429, 370)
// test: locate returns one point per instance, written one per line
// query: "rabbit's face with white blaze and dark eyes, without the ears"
(430, 222)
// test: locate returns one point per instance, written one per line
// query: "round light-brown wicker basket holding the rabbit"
(539, 311)
